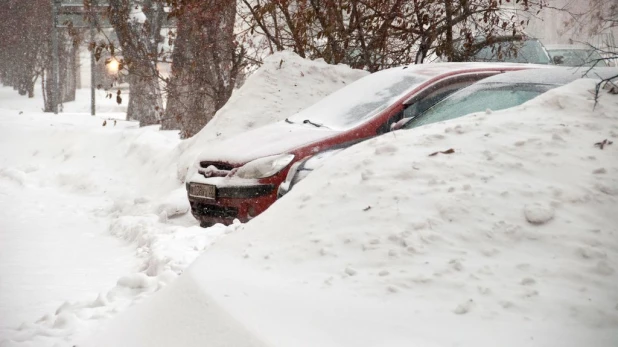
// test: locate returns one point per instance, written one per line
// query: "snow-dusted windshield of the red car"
(361, 100)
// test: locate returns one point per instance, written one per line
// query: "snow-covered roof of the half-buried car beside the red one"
(554, 75)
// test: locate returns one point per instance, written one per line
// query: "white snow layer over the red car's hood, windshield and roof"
(343, 109)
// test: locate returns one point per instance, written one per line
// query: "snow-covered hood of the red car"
(276, 138)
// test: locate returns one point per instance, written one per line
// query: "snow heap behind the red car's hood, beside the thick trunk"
(282, 86)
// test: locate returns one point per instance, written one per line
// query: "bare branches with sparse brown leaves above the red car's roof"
(376, 34)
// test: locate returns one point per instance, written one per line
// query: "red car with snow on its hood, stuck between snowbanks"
(238, 178)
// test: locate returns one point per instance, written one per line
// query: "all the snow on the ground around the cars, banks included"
(511, 240)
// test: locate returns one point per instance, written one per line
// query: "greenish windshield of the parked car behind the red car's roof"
(529, 51)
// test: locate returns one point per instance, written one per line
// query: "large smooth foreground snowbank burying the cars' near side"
(498, 228)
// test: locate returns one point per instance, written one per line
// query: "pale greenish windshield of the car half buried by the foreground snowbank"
(478, 98)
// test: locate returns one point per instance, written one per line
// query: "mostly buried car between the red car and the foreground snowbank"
(495, 93)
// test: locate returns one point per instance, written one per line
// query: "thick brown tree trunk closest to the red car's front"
(205, 65)
